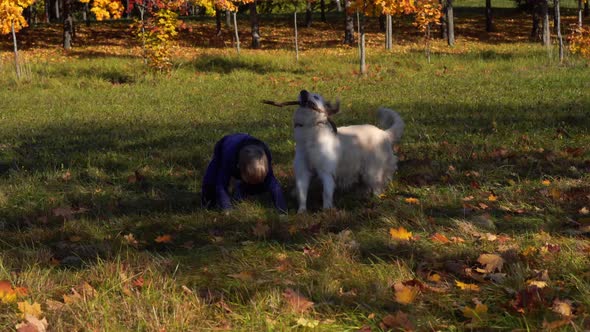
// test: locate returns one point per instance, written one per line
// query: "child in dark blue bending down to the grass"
(246, 159)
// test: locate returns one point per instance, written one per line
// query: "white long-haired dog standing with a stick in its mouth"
(341, 156)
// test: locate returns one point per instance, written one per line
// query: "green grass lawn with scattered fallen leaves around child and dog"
(481, 119)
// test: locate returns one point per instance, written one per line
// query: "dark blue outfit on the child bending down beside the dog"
(224, 166)
